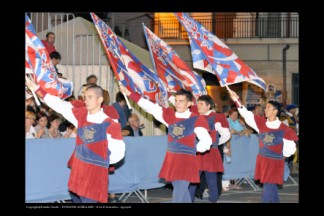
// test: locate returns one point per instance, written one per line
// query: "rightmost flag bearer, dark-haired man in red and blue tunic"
(276, 141)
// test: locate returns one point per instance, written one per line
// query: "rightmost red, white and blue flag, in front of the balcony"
(209, 53)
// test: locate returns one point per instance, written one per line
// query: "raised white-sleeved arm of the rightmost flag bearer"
(247, 115)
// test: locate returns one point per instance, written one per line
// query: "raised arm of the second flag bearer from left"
(145, 104)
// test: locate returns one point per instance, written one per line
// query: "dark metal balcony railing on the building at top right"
(229, 27)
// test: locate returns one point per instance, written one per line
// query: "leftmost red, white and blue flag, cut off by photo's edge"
(38, 65)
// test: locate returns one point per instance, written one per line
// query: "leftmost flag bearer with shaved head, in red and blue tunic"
(88, 182)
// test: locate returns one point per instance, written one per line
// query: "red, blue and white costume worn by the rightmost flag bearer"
(276, 141)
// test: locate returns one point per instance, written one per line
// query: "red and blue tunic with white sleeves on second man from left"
(180, 161)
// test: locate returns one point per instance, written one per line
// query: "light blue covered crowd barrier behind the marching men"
(47, 172)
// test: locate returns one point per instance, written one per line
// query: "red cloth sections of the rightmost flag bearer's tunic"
(270, 170)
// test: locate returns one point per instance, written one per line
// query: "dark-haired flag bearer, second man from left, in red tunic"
(180, 165)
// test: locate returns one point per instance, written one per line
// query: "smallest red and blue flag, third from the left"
(171, 69)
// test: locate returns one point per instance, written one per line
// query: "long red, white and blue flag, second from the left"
(134, 75)
